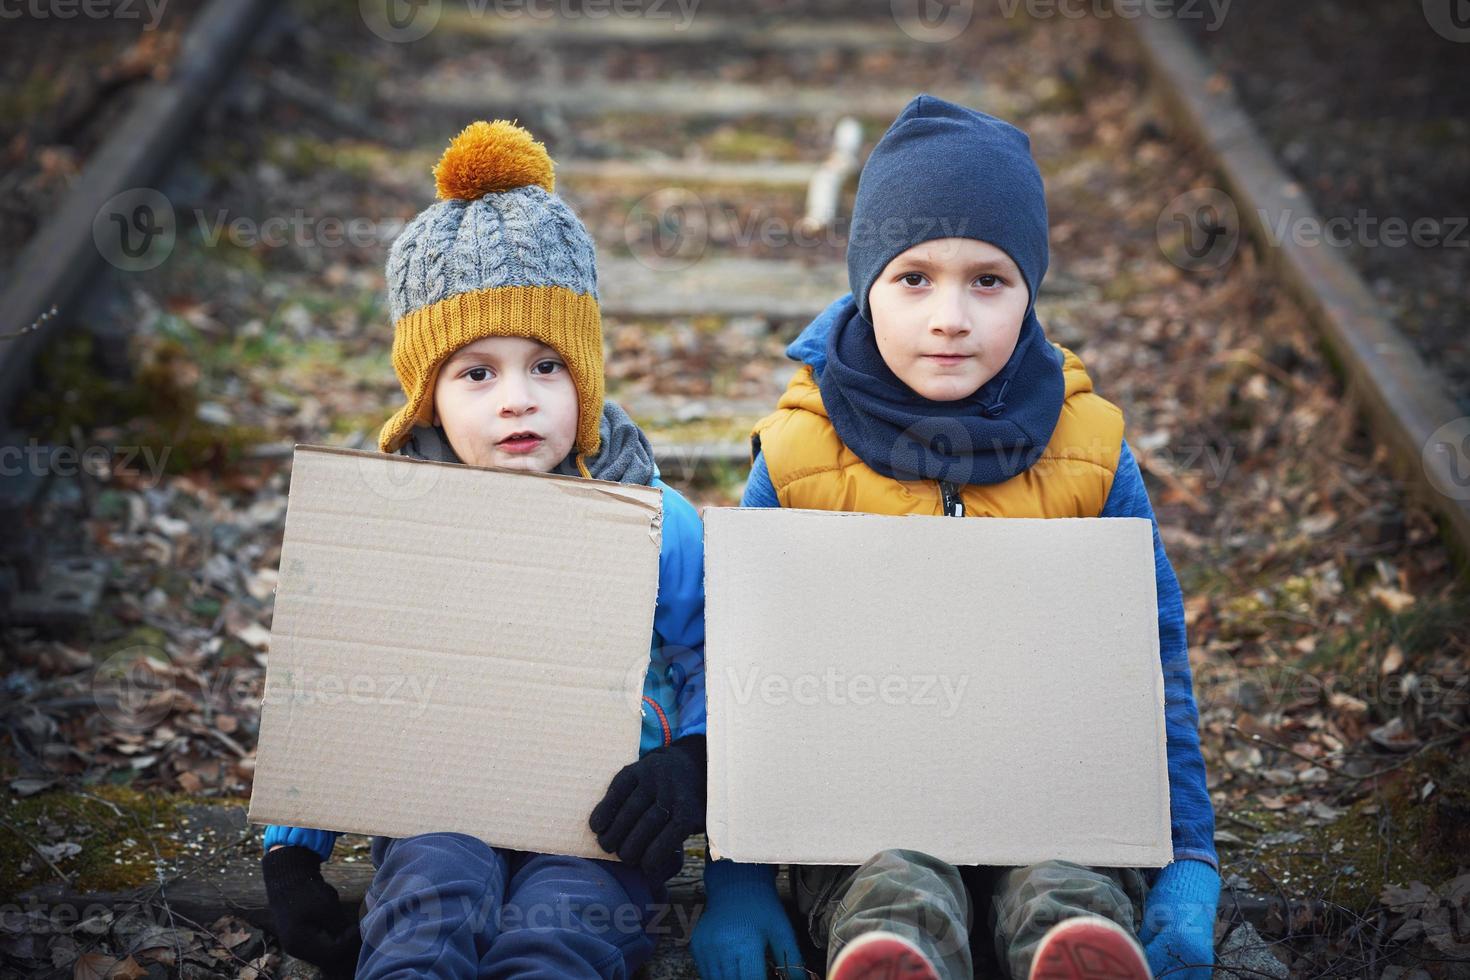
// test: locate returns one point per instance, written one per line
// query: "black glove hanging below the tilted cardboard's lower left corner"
(311, 920)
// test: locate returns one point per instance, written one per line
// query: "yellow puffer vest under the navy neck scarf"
(812, 468)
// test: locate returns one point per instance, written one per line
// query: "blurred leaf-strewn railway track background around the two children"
(1259, 248)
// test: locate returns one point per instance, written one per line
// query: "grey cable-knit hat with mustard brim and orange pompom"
(501, 255)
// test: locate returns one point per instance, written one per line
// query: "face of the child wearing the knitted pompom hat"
(508, 402)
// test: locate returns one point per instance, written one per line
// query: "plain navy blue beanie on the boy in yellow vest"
(944, 171)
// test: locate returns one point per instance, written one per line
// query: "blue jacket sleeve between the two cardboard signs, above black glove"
(678, 616)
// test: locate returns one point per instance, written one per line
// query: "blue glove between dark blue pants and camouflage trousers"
(743, 919)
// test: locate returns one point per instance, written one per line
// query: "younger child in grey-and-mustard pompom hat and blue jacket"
(498, 343)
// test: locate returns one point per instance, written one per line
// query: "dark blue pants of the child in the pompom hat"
(451, 906)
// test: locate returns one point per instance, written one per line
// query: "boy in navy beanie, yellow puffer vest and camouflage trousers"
(933, 390)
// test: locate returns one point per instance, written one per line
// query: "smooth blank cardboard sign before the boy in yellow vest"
(986, 691)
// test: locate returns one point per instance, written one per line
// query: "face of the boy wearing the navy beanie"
(947, 315)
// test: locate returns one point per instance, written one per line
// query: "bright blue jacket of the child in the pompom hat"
(674, 690)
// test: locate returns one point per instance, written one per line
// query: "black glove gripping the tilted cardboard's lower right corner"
(652, 806)
